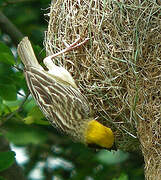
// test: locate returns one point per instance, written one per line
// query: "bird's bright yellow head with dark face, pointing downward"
(97, 135)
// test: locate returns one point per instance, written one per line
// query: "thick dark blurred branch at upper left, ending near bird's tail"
(9, 28)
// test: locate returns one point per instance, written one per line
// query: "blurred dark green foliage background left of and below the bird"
(47, 155)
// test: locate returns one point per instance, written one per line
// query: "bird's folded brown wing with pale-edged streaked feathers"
(61, 103)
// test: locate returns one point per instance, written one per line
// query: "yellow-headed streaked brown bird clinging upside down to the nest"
(60, 100)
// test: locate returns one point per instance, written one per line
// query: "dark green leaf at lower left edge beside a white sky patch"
(6, 159)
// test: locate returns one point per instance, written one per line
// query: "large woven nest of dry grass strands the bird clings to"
(119, 69)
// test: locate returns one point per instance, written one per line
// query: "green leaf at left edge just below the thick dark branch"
(6, 55)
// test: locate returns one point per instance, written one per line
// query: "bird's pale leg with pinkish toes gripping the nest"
(48, 60)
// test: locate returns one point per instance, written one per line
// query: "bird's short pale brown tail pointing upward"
(26, 53)
